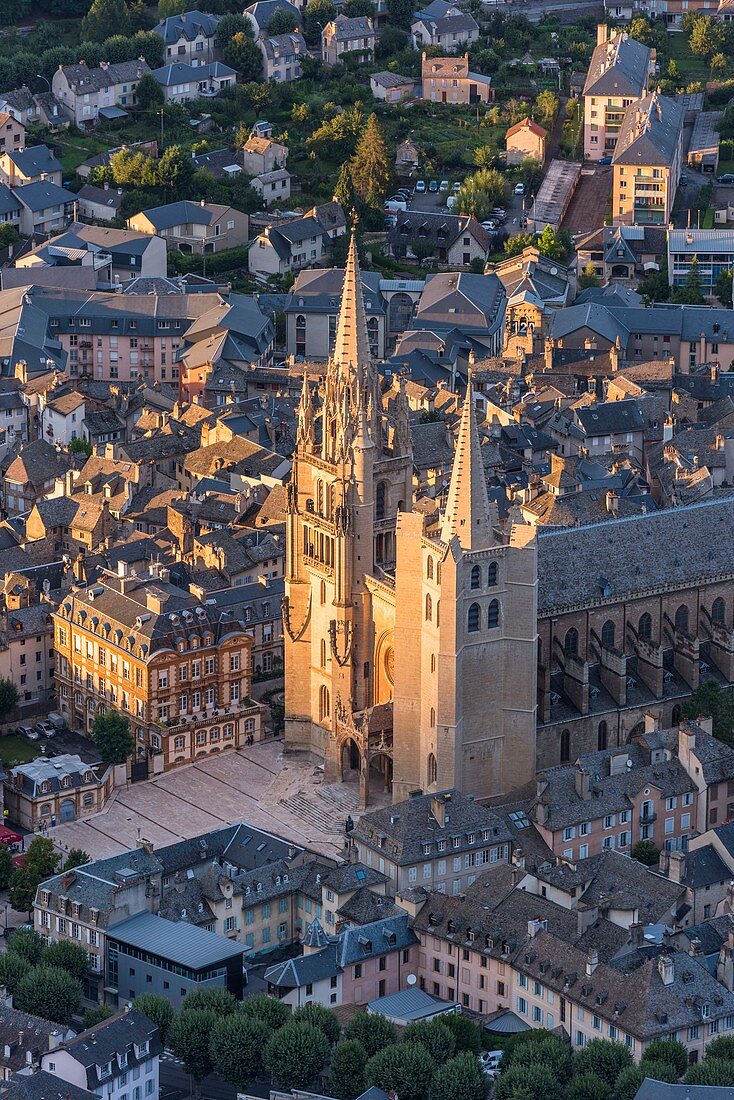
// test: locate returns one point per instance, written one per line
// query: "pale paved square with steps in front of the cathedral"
(282, 795)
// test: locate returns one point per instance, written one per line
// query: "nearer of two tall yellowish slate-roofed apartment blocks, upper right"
(648, 162)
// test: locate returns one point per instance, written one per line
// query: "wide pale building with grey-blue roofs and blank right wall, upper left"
(116, 256)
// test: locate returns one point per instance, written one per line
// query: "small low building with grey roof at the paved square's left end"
(65, 789)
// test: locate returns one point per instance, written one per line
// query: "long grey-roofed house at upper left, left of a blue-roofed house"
(87, 93)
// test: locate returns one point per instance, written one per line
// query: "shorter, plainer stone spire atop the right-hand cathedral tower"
(467, 513)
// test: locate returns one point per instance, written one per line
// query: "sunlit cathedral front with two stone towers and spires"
(411, 647)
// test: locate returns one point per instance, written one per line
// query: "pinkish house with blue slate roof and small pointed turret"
(354, 967)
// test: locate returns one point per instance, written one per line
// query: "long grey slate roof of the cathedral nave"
(588, 565)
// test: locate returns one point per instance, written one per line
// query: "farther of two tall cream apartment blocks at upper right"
(618, 76)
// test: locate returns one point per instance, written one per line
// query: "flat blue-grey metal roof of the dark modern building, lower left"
(176, 941)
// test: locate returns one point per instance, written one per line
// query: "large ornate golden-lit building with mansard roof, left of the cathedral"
(149, 650)
